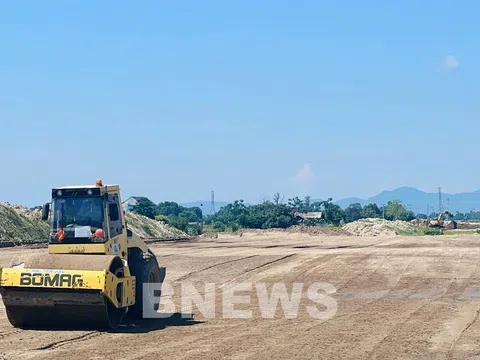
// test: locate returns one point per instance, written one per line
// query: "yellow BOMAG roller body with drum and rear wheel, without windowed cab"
(83, 285)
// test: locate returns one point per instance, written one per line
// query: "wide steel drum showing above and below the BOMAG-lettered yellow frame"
(46, 308)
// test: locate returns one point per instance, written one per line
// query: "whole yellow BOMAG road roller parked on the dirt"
(94, 273)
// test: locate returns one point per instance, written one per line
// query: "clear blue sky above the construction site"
(247, 98)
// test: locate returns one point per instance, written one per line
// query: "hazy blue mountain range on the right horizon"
(418, 201)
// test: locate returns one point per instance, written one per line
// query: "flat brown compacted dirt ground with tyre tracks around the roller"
(393, 298)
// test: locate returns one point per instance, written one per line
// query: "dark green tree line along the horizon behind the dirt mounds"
(268, 214)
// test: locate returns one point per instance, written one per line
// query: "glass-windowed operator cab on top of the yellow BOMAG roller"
(84, 214)
